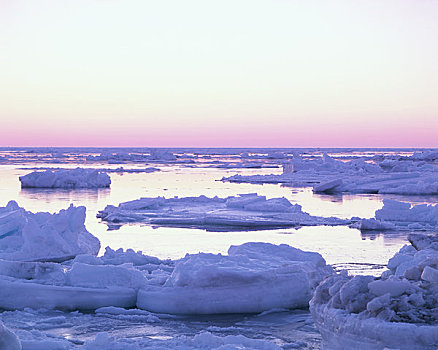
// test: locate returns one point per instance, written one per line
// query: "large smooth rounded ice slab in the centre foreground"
(252, 278)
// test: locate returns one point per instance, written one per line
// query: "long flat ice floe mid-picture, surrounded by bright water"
(245, 211)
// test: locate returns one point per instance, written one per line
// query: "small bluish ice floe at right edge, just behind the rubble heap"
(403, 216)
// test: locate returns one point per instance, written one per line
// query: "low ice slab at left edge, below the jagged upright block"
(85, 283)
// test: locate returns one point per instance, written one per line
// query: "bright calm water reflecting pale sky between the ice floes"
(341, 246)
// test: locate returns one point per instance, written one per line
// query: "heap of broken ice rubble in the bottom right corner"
(395, 311)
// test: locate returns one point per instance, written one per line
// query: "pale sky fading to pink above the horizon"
(228, 73)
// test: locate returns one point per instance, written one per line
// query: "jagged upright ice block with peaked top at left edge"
(44, 236)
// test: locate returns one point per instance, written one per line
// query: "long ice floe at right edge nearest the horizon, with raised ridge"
(328, 175)
